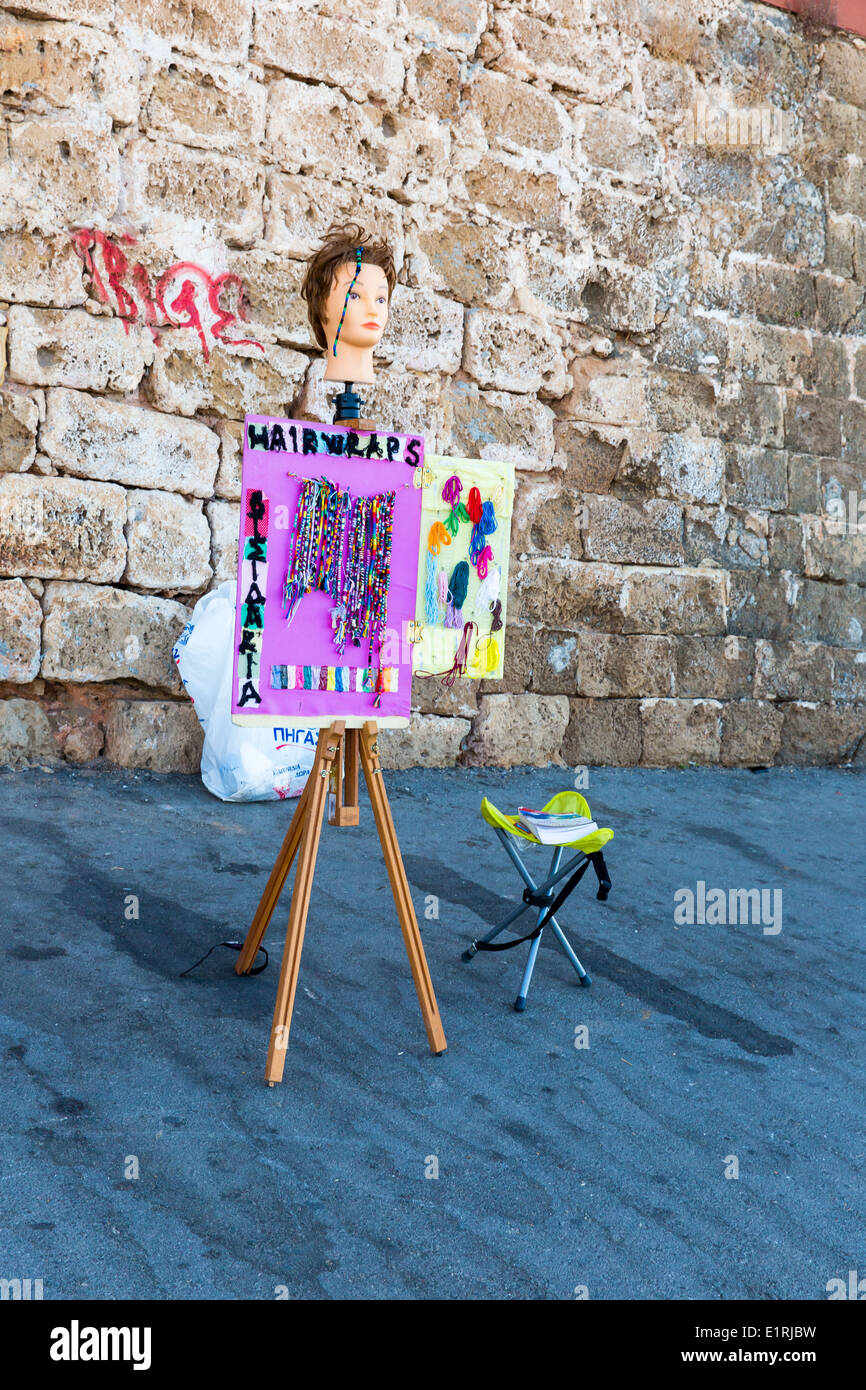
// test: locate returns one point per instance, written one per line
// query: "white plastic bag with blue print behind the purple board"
(238, 762)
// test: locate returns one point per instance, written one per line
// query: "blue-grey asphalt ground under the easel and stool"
(711, 1049)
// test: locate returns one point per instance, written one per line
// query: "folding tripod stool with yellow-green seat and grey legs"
(544, 896)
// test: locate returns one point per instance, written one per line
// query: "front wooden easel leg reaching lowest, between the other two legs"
(327, 750)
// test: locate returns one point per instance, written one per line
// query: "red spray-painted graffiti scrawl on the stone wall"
(186, 295)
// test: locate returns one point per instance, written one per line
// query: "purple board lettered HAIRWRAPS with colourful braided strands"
(293, 658)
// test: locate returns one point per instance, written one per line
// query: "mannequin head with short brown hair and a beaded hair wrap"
(348, 306)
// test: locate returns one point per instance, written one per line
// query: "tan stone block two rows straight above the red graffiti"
(198, 104)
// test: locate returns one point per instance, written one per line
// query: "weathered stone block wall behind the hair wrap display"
(632, 238)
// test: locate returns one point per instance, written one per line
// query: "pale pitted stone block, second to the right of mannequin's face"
(514, 352)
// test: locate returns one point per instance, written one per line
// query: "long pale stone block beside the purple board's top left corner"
(116, 443)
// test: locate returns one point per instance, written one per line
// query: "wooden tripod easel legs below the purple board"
(336, 776)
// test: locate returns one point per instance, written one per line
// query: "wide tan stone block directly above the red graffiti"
(169, 186)
